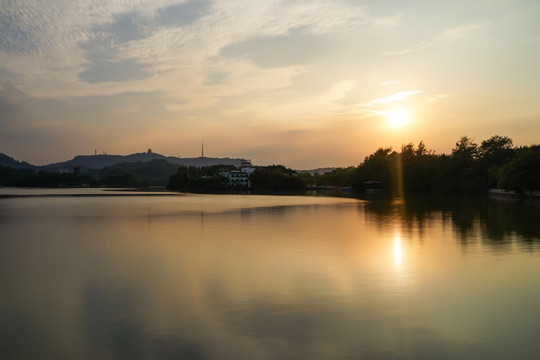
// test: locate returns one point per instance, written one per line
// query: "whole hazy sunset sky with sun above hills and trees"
(305, 84)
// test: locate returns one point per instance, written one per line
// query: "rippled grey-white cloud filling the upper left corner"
(78, 40)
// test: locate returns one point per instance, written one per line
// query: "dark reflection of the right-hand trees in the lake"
(496, 219)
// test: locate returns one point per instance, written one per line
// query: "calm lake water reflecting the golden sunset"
(266, 277)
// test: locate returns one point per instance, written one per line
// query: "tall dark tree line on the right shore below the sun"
(470, 168)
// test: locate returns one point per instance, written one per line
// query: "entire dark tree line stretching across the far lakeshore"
(470, 168)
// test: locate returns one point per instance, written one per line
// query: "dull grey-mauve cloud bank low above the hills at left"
(73, 125)
